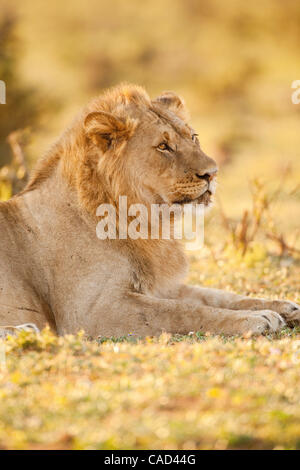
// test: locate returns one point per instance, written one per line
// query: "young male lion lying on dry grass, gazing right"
(54, 269)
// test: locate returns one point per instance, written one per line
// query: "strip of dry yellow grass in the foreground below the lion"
(191, 392)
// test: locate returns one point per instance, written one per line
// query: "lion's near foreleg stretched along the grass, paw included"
(144, 315)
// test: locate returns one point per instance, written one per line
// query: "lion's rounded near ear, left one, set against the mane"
(106, 130)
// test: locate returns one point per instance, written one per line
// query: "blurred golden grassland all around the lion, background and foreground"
(234, 62)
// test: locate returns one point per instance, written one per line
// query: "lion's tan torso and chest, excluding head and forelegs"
(54, 269)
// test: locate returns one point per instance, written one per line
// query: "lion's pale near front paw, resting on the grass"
(261, 322)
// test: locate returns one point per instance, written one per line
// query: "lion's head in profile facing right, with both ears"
(145, 149)
